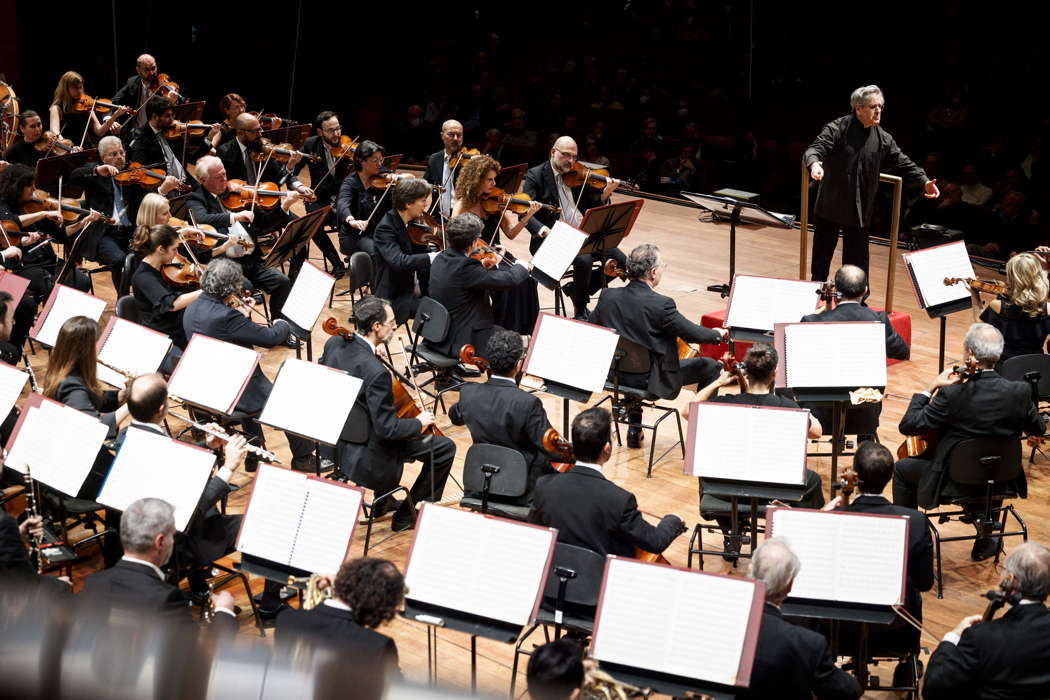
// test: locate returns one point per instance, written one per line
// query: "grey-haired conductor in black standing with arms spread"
(854, 149)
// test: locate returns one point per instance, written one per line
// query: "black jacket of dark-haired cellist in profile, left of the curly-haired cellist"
(371, 462)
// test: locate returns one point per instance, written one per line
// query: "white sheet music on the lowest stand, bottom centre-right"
(698, 630)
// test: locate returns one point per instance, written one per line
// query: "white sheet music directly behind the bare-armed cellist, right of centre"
(749, 443)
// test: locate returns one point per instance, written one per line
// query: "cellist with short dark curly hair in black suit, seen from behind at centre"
(499, 413)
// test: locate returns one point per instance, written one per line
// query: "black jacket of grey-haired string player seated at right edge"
(985, 407)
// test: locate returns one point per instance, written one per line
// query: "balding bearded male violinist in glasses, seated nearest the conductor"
(545, 184)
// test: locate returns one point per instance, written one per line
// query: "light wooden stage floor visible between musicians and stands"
(698, 254)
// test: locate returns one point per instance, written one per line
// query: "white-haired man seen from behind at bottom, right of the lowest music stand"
(790, 661)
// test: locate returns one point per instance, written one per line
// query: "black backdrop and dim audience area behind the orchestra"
(769, 73)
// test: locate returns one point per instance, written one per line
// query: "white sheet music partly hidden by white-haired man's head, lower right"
(846, 557)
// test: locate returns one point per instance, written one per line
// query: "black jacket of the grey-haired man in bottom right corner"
(1004, 659)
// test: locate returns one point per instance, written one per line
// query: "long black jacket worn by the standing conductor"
(853, 158)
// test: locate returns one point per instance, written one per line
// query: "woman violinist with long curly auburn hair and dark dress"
(515, 309)
